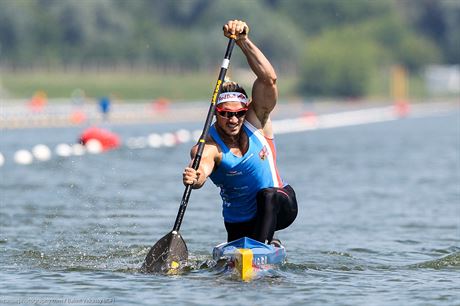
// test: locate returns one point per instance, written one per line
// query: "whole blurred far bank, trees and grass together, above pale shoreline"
(146, 49)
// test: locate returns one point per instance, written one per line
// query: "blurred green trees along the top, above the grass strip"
(336, 47)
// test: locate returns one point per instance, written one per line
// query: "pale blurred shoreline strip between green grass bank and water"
(63, 114)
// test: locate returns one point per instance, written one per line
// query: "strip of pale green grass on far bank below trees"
(125, 86)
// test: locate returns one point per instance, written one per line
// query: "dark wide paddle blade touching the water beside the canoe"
(168, 255)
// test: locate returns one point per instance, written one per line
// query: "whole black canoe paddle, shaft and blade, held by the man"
(170, 252)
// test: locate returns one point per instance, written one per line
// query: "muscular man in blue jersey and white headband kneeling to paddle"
(240, 156)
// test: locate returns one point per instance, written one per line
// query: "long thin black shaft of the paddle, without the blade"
(204, 134)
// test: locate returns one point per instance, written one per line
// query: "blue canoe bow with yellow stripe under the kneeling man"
(249, 257)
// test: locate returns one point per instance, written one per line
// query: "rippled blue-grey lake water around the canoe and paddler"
(379, 221)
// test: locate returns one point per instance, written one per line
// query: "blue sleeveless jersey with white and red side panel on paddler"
(240, 178)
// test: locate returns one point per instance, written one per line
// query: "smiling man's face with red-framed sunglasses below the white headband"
(230, 117)
